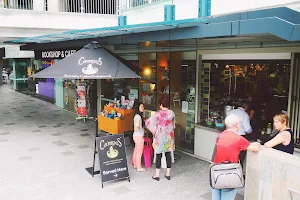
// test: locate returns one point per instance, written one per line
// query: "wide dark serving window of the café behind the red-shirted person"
(224, 84)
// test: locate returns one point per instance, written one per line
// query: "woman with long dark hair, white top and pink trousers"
(138, 136)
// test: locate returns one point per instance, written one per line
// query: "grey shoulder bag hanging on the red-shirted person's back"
(225, 175)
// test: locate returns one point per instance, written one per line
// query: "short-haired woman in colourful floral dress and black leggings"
(162, 125)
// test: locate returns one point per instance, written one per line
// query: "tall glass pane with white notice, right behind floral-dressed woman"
(182, 97)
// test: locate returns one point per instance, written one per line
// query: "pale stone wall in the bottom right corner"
(272, 175)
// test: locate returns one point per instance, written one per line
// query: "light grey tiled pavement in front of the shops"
(44, 154)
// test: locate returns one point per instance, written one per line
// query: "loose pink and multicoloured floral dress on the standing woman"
(162, 126)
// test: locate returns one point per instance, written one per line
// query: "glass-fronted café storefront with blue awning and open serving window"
(200, 69)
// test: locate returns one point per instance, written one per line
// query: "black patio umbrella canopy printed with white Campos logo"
(91, 62)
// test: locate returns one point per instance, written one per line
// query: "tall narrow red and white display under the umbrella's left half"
(81, 99)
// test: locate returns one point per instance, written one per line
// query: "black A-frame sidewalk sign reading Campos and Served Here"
(112, 156)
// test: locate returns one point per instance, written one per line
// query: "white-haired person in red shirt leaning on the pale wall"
(228, 149)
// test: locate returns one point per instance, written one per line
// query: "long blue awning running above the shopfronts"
(283, 23)
